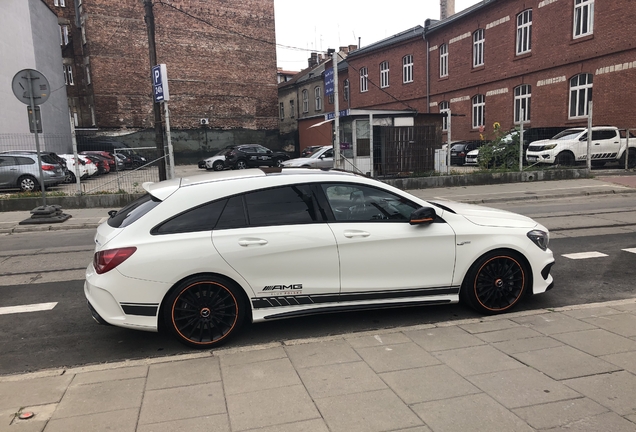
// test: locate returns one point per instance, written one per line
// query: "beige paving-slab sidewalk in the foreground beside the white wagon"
(572, 368)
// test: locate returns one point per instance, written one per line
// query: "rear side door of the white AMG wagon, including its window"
(278, 241)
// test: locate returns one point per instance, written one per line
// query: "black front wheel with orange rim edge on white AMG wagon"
(495, 282)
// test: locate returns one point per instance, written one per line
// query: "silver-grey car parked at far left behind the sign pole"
(20, 170)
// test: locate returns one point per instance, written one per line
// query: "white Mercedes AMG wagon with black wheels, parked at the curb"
(201, 255)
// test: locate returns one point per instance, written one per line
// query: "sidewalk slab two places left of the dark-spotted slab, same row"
(340, 379)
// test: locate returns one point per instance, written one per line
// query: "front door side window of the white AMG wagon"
(359, 203)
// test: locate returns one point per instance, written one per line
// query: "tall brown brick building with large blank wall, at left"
(220, 57)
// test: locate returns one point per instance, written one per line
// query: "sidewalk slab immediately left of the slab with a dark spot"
(428, 383)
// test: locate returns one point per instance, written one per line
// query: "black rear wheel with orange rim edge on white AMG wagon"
(204, 311)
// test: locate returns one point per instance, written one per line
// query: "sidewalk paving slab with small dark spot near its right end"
(521, 387)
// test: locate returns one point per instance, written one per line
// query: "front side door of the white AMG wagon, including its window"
(380, 251)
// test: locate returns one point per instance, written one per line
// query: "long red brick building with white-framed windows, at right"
(486, 63)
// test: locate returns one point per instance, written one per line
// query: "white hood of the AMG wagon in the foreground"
(487, 216)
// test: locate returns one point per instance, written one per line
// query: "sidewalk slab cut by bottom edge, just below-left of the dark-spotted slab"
(479, 412)
